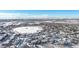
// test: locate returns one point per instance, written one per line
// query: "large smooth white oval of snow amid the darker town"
(27, 29)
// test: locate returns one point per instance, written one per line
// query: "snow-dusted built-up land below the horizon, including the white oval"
(39, 34)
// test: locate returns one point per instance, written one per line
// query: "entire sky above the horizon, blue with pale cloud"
(24, 14)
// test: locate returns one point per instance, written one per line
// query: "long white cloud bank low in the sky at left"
(21, 16)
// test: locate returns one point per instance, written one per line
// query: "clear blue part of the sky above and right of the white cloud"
(53, 13)
